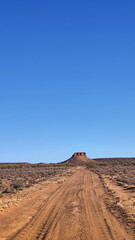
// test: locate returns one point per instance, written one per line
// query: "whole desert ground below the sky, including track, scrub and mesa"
(80, 198)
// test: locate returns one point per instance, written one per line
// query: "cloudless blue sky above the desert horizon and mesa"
(67, 79)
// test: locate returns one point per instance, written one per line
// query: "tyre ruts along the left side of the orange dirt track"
(40, 222)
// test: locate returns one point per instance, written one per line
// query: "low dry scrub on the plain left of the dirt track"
(13, 179)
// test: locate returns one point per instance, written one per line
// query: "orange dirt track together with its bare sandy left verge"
(72, 209)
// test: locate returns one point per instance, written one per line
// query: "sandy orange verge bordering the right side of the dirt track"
(121, 201)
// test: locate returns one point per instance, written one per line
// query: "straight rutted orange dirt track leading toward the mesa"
(75, 211)
